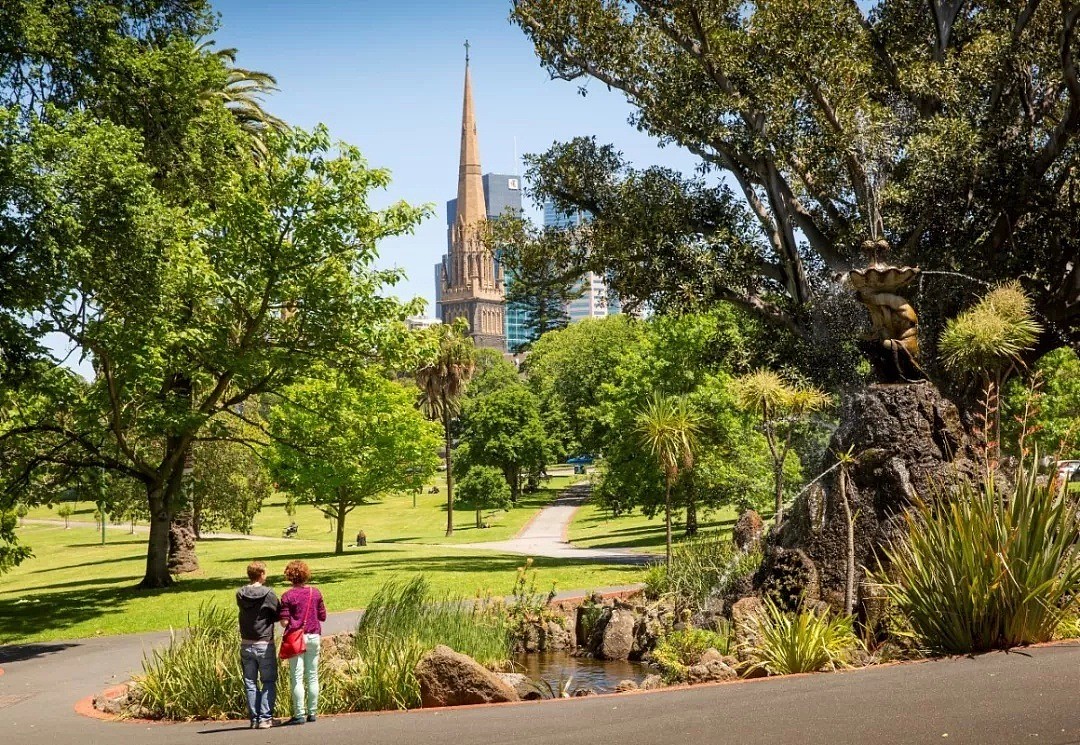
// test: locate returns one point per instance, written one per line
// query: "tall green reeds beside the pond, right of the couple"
(402, 624)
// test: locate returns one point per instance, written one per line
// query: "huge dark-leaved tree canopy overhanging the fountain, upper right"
(949, 129)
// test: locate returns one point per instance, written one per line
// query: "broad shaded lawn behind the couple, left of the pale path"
(75, 588)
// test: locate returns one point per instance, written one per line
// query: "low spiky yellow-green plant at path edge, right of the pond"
(802, 642)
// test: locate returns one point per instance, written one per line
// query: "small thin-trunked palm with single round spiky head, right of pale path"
(669, 430)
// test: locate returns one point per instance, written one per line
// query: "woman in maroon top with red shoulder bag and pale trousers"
(303, 611)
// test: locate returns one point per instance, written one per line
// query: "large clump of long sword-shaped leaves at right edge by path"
(988, 572)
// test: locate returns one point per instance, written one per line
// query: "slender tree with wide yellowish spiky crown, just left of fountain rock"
(781, 405)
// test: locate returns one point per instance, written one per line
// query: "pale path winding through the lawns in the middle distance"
(546, 535)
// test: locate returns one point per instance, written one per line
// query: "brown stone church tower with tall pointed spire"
(472, 283)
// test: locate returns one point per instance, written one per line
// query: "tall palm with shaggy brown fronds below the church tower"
(442, 384)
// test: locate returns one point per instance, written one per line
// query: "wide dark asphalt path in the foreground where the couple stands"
(1028, 697)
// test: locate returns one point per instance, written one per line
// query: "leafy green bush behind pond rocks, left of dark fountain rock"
(700, 567)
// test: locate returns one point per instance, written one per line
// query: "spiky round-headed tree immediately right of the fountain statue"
(988, 342)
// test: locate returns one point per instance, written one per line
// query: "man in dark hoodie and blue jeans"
(259, 613)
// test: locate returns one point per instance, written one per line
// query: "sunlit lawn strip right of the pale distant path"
(593, 527)
